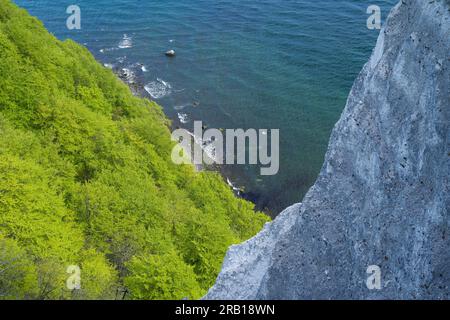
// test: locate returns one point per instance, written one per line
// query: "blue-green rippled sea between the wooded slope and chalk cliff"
(286, 64)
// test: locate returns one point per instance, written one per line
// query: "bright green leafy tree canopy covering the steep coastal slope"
(86, 179)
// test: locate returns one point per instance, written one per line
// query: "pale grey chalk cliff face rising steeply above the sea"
(382, 197)
